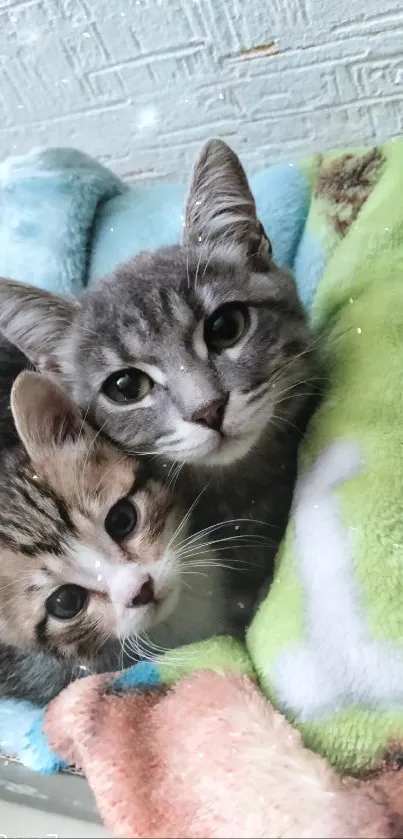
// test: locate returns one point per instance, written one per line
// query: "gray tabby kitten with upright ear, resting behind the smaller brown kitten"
(198, 353)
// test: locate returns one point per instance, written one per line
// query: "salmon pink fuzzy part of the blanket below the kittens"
(209, 757)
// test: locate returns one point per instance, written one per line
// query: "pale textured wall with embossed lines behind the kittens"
(141, 83)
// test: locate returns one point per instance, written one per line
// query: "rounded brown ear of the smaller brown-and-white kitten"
(43, 414)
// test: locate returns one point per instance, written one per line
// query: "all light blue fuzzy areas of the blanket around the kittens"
(65, 221)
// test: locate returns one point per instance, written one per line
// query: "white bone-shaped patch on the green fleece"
(337, 664)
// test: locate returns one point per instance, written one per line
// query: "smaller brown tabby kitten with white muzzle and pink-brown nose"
(92, 547)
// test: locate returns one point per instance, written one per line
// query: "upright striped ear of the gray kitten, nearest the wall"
(220, 208)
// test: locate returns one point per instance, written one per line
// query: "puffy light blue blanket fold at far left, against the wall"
(49, 200)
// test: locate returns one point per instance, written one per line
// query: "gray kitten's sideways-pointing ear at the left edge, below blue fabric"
(35, 320)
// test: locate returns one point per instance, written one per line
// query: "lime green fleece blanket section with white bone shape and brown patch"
(328, 642)
